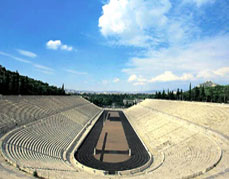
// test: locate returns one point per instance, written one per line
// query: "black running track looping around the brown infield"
(85, 153)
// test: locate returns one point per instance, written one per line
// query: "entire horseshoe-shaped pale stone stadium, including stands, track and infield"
(69, 137)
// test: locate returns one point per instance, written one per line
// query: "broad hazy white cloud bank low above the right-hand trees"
(199, 59)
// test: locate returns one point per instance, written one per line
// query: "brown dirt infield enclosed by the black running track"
(112, 144)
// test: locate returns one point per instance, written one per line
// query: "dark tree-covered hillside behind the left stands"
(12, 83)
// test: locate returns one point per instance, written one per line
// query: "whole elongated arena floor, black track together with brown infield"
(112, 145)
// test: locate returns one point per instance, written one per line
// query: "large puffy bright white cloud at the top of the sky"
(130, 21)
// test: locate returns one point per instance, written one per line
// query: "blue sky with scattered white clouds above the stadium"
(117, 45)
